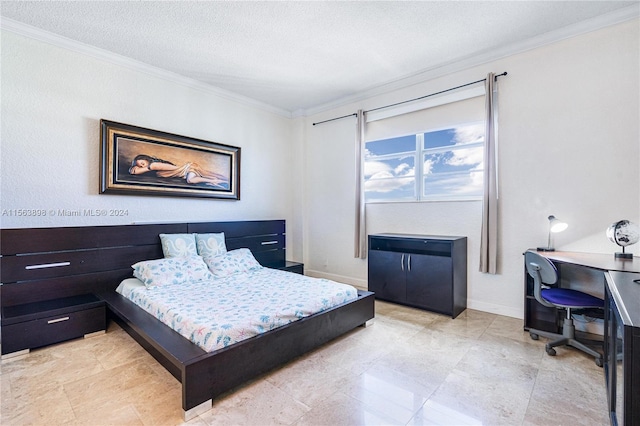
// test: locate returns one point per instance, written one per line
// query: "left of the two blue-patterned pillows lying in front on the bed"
(172, 270)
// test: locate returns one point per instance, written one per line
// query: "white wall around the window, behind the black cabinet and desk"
(569, 146)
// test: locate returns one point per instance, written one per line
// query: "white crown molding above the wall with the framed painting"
(116, 59)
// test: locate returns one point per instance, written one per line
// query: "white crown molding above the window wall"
(613, 18)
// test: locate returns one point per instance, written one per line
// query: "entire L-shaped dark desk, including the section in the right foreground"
(617, 280)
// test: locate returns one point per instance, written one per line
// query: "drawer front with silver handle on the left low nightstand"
(54, 329)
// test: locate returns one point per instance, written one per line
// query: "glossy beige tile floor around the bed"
(410, 368)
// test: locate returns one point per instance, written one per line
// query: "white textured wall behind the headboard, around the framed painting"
(52, 101)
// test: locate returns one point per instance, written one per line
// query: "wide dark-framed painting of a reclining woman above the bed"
(142, 161)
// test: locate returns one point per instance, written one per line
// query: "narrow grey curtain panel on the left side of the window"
(360, 228)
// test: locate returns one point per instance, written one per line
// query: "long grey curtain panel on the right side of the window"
(489, 235)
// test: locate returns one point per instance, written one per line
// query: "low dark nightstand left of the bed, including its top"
(32, 325)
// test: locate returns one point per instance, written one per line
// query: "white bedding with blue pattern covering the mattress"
(215, 314)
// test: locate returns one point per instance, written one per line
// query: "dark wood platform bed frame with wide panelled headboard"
(95, 259)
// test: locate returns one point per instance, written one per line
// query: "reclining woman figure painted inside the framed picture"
(189, 171)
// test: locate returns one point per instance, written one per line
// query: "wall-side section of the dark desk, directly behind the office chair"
(591, 265)
